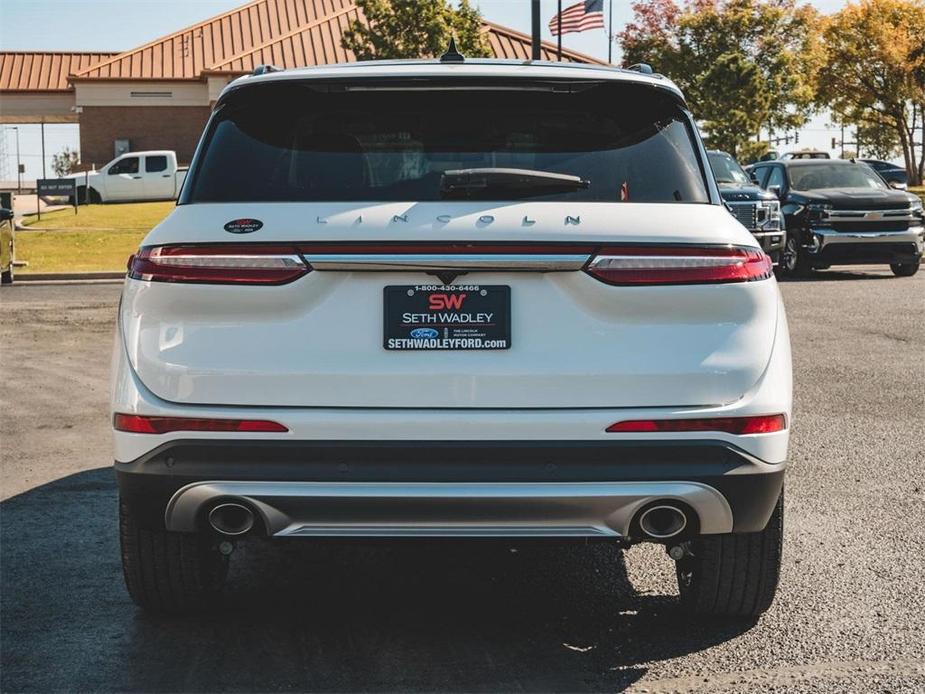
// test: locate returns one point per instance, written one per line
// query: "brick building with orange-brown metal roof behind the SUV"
(159, 95)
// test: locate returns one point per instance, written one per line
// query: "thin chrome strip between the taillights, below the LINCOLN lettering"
(552, 262)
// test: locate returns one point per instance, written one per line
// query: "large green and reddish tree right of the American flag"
(742, 64)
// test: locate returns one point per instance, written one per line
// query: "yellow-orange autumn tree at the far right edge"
(875, 73)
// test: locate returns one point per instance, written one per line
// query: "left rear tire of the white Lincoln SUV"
(166, 571)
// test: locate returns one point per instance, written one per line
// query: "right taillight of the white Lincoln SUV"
(629, 265)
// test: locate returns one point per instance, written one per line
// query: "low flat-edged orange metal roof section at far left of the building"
(43, 71)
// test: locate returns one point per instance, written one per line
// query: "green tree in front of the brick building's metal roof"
(414, 29)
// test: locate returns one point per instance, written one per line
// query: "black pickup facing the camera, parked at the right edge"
(839, 212)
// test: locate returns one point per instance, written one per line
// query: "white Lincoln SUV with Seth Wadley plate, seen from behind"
(455, 299)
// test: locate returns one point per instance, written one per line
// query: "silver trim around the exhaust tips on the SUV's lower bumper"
(496, 509)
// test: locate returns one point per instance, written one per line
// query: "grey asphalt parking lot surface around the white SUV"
(476, 616)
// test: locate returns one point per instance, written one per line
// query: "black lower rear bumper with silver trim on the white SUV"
(450, 488)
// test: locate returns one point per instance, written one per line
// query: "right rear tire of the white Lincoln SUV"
(733, 575)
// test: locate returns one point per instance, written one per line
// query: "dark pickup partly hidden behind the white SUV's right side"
(757, 209)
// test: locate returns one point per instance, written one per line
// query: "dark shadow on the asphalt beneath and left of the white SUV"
(334, 616)
